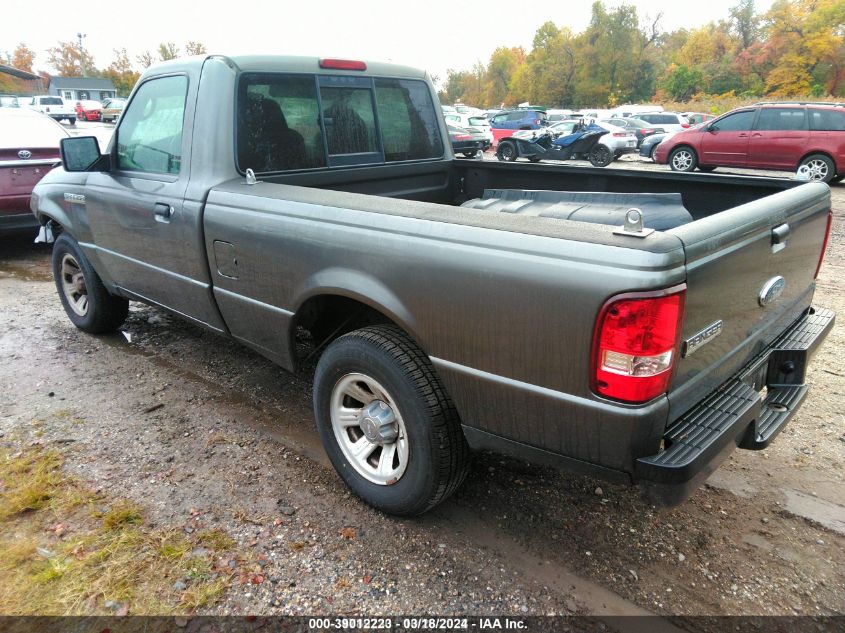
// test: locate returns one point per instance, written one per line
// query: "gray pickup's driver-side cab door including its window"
(146, 234)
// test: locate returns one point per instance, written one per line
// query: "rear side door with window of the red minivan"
(779, 138)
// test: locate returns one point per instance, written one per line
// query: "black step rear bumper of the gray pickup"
(737, 415)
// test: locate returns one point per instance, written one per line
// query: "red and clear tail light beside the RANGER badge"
(636, 344)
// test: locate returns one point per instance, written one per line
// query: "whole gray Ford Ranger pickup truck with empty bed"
(633, 326)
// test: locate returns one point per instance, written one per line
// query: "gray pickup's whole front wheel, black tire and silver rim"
(88, 304)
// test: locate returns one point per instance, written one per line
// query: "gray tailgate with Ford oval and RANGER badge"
(750, 274)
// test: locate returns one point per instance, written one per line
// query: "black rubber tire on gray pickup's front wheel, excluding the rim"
(106, 312)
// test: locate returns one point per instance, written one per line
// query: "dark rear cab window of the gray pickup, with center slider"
(291, 122)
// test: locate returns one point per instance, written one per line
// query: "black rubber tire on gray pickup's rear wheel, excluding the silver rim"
(452, 452)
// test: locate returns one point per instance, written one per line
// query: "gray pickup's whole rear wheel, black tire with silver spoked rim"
(381, 364)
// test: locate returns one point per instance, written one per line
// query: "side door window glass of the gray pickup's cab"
(149, 138)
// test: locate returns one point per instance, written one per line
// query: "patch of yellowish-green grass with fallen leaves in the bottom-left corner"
(65, 550)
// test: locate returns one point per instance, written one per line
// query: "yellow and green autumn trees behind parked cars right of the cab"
(795, 49)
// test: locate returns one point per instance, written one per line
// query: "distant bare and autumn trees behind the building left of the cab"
(69, 59)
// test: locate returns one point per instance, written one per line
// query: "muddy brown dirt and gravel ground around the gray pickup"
(203, 433)
